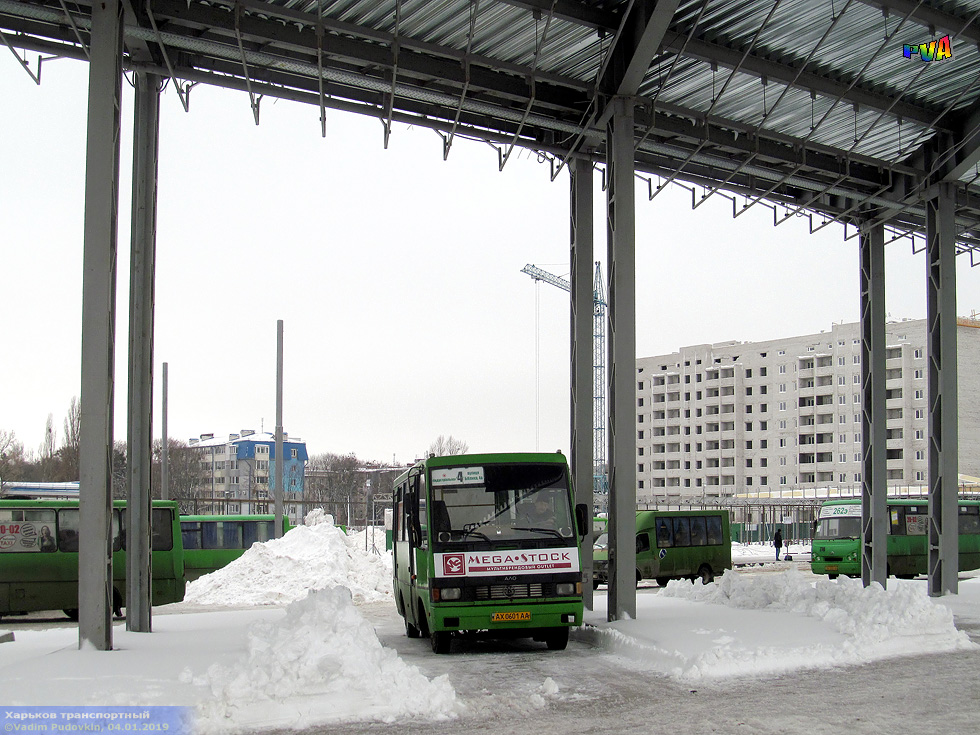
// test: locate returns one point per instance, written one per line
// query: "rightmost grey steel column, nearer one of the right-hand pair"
(943, 437)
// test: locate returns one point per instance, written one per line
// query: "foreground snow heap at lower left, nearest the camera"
(322, 663)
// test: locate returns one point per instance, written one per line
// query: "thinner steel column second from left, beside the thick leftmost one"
(141, 304)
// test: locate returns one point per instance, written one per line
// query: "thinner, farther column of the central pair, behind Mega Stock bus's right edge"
(582, 309)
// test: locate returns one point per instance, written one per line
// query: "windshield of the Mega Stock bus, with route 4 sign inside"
(501, 503)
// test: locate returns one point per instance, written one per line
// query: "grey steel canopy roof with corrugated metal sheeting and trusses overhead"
(809, 104)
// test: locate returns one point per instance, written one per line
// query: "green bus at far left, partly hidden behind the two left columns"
(39, 556)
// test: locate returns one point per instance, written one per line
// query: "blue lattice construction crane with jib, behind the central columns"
(600, 477)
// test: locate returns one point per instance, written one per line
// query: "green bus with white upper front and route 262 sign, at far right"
(837, 538)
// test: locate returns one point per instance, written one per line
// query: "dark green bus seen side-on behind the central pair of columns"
(674, 545)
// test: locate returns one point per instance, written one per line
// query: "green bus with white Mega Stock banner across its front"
(488, 544)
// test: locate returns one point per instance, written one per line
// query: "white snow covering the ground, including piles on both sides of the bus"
(286, 638)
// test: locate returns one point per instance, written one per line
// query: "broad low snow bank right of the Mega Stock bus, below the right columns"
(767, 624)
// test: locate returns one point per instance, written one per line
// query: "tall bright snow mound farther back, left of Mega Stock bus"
(311, 557)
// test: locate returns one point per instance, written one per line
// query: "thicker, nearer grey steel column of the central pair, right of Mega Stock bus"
(621, 230)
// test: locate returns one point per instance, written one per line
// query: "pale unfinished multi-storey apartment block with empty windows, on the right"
(736, 417)
